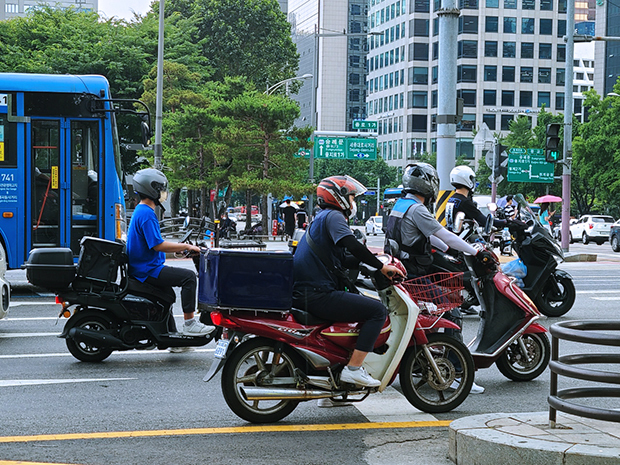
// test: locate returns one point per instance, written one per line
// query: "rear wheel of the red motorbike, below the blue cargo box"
(257, 362)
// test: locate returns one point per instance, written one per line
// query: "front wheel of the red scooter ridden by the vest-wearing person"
(527, 361)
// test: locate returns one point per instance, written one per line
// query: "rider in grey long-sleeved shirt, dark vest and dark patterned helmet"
(416, 230)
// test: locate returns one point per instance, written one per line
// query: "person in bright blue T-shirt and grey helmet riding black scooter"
(146, 249)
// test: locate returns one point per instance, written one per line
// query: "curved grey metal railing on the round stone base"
(587, 332)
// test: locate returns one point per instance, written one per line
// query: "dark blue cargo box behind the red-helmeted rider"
(246, 279)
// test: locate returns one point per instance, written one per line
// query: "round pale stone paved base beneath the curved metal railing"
(527, 439)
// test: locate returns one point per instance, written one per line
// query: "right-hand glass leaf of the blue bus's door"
(84, 180)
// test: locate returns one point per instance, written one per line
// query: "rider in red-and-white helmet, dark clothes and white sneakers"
(320, 280)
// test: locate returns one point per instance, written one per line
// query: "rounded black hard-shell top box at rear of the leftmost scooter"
(52, 268)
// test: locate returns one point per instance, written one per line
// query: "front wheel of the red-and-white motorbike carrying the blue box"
(419, 371)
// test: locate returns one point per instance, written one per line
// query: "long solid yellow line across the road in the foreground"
(224, 430)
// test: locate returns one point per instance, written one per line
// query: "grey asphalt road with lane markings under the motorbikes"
(153, 407)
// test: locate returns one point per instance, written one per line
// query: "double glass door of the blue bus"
(65, 186)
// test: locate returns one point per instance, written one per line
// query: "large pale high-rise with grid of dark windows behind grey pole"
(511, 60)
